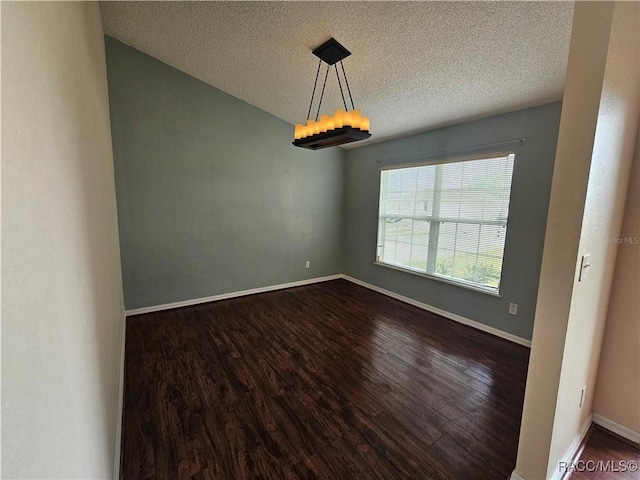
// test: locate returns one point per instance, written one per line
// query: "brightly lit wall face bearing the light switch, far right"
(604, 207)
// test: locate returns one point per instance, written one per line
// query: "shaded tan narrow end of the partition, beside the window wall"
(583, 85)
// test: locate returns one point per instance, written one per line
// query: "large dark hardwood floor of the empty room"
(327, 381)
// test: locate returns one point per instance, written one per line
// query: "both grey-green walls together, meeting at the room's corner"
(212, 197)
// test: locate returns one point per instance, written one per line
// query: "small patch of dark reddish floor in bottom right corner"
(606, 457)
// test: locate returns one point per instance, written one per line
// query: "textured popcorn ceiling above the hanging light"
(414, 65)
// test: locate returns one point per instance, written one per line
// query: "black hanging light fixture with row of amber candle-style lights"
(344, 126)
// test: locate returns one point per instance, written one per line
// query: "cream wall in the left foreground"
(62, 312)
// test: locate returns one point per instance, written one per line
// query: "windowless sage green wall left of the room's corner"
(212, 197)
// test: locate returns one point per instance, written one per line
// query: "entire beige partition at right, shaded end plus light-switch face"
(591, 175)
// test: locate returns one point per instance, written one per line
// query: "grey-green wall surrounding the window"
(527, 216)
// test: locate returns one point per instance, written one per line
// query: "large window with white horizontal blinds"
(447, 220)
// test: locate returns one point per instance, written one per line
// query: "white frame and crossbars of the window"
(431, 248)
